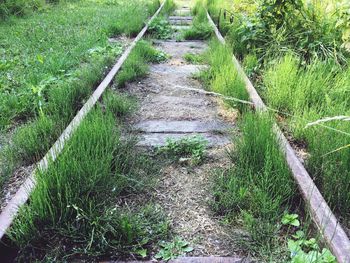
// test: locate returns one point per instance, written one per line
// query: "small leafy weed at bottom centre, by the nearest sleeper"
(172, 250)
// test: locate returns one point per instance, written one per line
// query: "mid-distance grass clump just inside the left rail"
(136, 65)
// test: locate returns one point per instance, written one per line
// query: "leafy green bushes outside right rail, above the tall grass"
(279, 26)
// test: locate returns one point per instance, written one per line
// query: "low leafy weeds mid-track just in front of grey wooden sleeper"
(187, 147)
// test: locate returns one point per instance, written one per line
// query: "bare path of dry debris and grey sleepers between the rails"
(167, 110)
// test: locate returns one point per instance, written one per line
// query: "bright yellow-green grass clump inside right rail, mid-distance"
(222, 76)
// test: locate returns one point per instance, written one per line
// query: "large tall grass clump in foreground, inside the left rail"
(80, 197)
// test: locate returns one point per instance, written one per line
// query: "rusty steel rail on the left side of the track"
(22, 195)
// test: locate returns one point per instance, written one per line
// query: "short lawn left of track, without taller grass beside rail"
(40, 52)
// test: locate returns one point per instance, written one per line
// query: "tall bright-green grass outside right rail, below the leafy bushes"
(318, 90)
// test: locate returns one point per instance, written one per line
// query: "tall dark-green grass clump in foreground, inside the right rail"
(259, 188)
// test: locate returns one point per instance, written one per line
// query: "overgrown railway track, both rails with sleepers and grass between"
(191, 183)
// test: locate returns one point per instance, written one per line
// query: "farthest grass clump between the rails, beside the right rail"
(200, 29)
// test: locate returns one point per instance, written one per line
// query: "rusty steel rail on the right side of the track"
(322, 215)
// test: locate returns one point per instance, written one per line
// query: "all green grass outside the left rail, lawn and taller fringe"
(49, 71)
